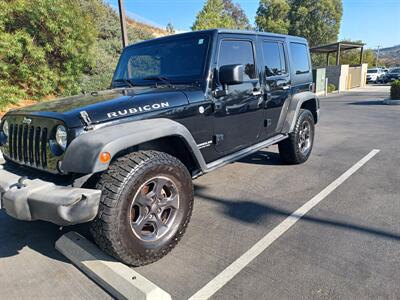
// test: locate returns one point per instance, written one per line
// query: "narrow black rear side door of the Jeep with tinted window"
(277, 83)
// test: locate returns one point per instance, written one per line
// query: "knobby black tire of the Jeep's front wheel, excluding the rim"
(112, 229)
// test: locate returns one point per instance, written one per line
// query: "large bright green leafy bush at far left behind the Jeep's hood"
(44, 48)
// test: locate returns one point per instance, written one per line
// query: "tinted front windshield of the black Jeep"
(178, 60)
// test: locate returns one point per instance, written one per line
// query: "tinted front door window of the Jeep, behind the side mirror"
(238, 52)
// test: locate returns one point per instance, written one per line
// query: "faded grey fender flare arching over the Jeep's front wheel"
(82, 155)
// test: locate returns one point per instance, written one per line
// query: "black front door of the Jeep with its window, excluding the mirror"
(238, 115)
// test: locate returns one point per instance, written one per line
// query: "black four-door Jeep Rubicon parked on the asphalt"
(179, 107)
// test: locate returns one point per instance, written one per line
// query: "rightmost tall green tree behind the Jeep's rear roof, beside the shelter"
(316, 20)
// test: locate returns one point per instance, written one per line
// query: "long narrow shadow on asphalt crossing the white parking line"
(251, 211)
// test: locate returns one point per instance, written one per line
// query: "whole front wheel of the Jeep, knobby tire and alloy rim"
(146, 204)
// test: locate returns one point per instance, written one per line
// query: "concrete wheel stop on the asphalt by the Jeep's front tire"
(116, 278)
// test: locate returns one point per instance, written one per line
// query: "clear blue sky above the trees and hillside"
(375, 22)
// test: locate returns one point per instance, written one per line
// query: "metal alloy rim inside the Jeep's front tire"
(154, 208)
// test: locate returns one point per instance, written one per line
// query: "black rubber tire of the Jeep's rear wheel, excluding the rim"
(289, 149)
